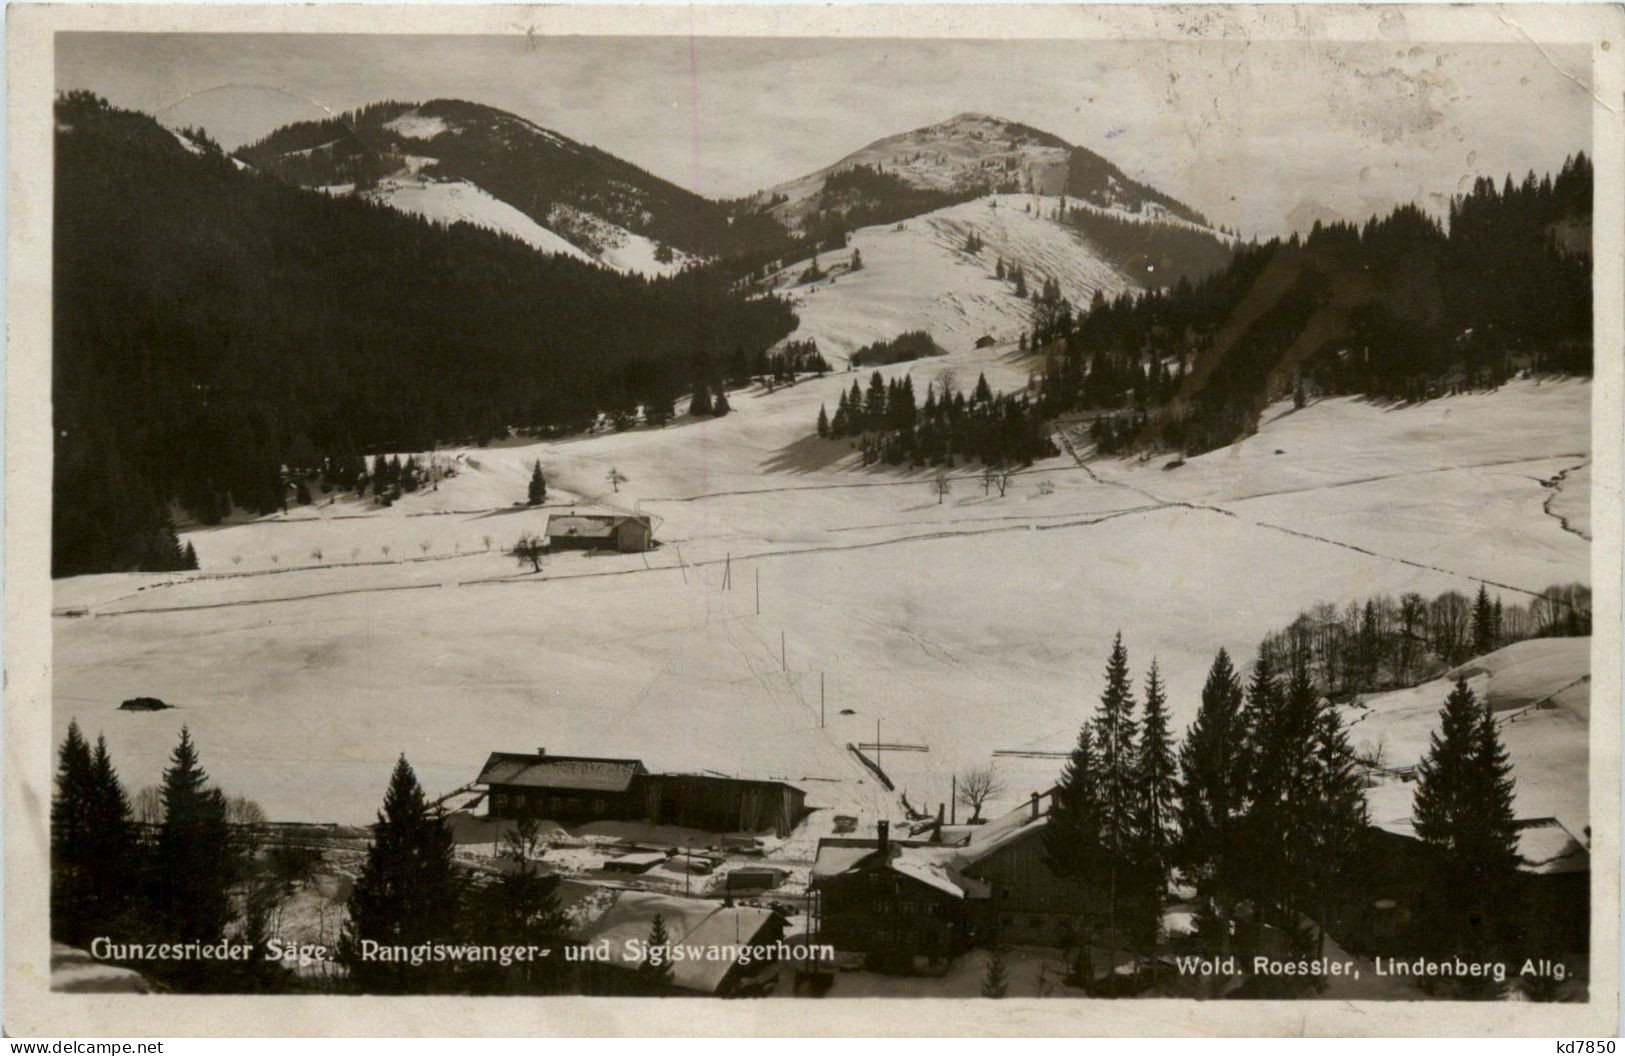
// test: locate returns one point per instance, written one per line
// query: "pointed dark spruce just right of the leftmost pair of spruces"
(194, 867)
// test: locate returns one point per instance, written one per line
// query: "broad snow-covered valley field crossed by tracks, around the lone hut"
(969, 626)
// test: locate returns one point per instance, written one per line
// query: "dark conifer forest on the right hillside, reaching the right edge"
(1402, 308)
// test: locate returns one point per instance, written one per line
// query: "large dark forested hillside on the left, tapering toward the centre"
(214, 324)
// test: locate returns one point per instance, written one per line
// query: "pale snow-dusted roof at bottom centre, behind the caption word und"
(695, 924)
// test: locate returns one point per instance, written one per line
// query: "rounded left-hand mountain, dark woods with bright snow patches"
(459, 162)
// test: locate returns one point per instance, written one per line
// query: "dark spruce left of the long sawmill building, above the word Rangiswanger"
(407, 894)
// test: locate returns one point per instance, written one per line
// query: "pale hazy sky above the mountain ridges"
(1260, 137)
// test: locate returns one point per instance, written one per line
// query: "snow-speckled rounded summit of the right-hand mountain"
(955, 160)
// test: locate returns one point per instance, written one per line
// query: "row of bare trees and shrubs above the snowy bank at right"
(1385, 643)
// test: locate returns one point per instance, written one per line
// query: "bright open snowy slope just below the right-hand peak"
(917, 275)
